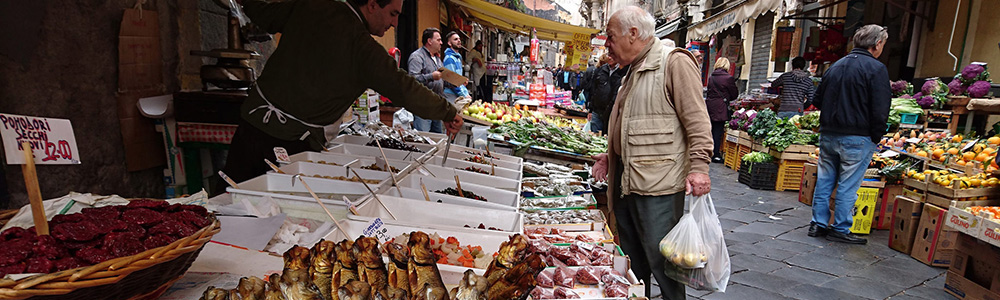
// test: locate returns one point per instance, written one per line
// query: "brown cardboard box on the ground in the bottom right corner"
(975, 270)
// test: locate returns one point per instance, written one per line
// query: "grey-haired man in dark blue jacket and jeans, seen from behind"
(854, 97)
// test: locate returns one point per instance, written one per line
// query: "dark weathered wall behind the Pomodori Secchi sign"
(73, 74)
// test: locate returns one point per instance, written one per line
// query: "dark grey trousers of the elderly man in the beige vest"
(642, 221)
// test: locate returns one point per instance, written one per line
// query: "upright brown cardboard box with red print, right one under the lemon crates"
(934, 243)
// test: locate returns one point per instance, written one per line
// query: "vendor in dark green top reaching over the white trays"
(325, 60)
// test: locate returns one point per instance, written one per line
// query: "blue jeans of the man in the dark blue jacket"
(843, 160)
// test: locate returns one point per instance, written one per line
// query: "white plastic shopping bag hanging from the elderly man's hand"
(713, 275)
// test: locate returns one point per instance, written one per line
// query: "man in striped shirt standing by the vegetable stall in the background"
(797, 89)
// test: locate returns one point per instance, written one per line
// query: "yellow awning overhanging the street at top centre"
(509, 20)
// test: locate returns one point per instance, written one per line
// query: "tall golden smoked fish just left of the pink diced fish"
(424, 276)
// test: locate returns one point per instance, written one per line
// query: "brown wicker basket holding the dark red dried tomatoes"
(132, 277)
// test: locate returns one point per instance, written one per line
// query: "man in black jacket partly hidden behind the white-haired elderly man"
(601, 93)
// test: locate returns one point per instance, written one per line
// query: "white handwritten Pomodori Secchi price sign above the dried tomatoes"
(52, 140)
